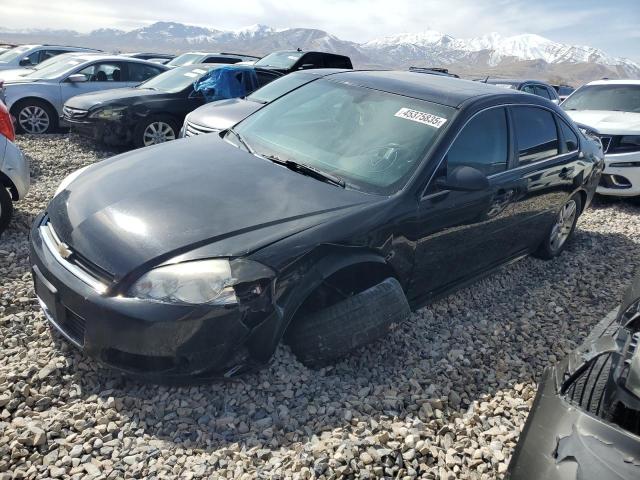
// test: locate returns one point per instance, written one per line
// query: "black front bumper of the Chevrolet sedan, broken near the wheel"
(156, 341)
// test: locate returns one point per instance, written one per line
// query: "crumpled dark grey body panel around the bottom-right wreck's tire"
(561, 441)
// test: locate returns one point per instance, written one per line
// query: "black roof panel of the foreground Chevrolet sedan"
(431, 88)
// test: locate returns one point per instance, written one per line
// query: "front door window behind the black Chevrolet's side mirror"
(482, 144)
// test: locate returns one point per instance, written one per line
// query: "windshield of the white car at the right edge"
(624, 98)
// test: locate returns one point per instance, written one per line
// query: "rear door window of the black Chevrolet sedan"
(536, 134)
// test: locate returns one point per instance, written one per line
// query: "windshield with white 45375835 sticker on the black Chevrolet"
(372, 139)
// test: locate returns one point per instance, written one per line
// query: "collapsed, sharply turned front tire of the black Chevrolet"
(323, 336)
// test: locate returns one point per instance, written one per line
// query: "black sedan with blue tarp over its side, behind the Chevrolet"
(153, 111)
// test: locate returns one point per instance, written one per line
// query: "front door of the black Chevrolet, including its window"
(459, 234)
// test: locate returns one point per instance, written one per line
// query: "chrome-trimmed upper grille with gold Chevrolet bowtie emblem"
(74, 263)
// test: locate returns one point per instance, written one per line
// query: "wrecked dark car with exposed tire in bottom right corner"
(586, 416)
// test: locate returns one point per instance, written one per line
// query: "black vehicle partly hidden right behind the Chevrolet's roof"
(288, 61)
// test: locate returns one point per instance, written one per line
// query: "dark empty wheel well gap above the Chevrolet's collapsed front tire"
(344, 283)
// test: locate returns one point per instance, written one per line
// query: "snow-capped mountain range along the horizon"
(525, 55)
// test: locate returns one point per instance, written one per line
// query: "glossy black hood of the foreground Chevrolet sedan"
(139, 209)
